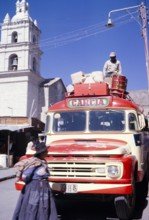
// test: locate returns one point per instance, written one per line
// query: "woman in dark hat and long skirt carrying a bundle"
(36, 201)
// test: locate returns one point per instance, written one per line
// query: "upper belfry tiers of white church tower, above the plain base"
(21, 35)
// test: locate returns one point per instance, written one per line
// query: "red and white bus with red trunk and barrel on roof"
(98, 145)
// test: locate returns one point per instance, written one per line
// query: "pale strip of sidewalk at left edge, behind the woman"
(7, 173)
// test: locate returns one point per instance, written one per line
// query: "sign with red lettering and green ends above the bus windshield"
(88, 102)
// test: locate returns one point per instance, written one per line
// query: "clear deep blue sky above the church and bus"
(74, 37)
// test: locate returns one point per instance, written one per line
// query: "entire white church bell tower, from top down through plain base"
(20, 57)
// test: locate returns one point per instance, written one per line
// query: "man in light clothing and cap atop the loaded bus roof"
(112, 66)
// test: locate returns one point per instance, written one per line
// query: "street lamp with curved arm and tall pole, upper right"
(143, 15)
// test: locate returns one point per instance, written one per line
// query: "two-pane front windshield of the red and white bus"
(94, 120)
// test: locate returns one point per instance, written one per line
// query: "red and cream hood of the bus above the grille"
(89, 147)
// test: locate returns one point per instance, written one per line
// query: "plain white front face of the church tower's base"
(13, 98)
